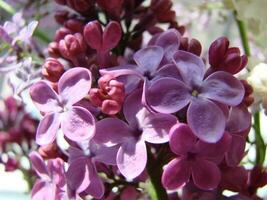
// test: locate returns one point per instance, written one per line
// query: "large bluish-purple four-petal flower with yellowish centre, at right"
(204, 115)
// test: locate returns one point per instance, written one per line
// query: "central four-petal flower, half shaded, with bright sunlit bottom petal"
(142, 127)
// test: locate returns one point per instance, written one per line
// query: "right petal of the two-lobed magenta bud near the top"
(111, 35)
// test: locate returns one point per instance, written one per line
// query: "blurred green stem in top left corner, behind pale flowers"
(37, 33)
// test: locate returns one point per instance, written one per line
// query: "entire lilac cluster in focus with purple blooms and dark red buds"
(131, 112)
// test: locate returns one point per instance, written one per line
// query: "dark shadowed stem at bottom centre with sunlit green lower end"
(154, 169)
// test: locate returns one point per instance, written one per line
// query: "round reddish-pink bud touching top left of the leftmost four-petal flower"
(52, 69)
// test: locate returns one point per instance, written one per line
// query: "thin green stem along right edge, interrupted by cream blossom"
(260, 145)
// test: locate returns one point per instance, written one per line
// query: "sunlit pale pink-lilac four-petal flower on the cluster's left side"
(76, 122)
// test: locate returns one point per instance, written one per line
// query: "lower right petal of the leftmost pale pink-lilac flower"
(78, 124)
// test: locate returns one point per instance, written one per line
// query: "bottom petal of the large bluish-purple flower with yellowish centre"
(206, 120)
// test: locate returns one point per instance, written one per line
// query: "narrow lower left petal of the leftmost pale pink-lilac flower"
(47, 129)
